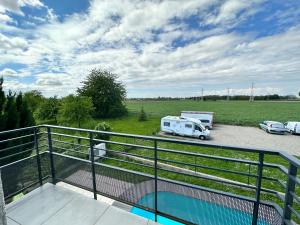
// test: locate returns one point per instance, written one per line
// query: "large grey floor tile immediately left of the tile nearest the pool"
(80, 211)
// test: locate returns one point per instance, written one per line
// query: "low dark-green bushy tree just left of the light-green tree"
(48, 110)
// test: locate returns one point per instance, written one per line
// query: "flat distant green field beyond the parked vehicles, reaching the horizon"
(232, 112)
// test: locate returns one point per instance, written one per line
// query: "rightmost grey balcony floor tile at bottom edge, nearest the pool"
(116, 216)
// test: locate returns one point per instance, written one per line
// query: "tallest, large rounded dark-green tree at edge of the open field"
(107, 94)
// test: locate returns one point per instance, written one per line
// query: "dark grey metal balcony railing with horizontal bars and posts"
(294, 163)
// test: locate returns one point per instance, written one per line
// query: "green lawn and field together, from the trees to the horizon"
(241, 113)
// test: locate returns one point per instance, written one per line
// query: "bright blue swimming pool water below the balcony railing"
(193, 210)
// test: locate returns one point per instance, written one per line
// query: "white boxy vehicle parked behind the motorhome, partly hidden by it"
(206, 118)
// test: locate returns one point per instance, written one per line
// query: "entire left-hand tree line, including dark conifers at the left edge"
(101, 96)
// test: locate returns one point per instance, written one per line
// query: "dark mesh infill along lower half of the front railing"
(190, 204)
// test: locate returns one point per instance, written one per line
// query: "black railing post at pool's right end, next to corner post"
(258, 188)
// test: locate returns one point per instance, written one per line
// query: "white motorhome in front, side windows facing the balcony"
(184, 127)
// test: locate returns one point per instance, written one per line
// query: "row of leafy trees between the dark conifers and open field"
(101, 96)
